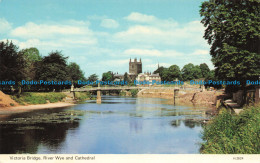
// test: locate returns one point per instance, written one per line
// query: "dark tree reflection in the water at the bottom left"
(27, 139)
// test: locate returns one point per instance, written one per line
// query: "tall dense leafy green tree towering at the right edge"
(232, 30)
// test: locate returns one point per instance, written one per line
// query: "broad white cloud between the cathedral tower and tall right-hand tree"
(162, 32)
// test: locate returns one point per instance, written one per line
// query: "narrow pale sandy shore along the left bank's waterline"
(20, 109)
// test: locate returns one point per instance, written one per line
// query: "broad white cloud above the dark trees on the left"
(54, 36)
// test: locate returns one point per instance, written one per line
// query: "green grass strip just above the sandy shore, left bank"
(39, 98)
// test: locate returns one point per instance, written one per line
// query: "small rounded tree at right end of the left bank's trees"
(75, 72)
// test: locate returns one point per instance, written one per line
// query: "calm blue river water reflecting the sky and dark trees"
(120, 125)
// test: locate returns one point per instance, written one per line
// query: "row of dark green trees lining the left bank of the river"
(28, 64)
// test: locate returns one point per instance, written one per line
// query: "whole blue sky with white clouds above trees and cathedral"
(102, 35)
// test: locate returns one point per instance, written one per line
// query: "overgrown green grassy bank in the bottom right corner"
(233, 134)
